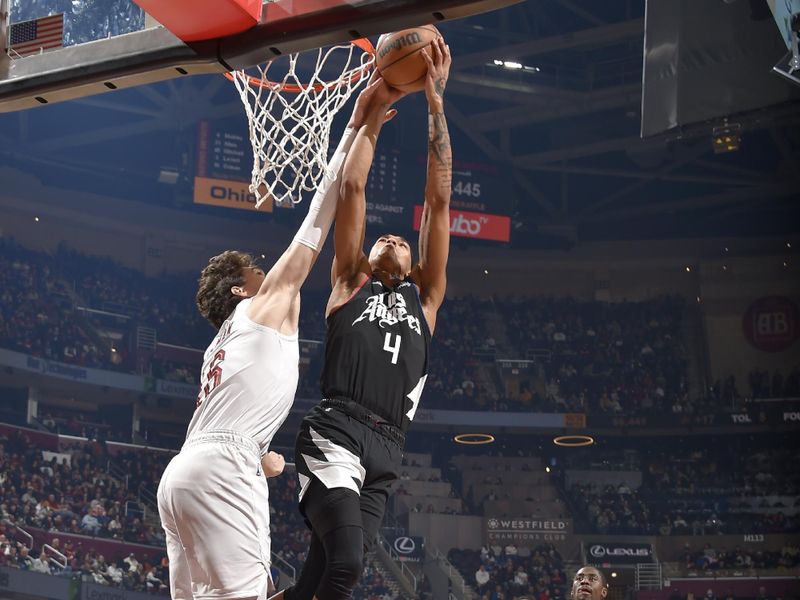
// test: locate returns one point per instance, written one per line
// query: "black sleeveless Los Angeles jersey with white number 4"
(376, 351)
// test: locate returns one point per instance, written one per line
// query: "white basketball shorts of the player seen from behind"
(213, 502)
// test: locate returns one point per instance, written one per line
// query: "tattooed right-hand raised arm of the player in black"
(434, 234)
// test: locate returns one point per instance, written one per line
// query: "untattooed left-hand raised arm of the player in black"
(348, 237)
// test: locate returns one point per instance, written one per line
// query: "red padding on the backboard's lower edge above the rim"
(195, 20)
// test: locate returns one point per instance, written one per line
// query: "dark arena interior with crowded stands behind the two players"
(639, 290)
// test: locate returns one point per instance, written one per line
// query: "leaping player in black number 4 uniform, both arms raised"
(380, 315)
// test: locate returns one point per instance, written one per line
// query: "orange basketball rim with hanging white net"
(290, 116)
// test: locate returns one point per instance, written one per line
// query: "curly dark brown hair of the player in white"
(214, 298)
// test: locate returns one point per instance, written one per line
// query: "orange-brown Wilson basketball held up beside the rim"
(399, 60)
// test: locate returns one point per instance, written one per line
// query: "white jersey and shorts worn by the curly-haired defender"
(213, 497)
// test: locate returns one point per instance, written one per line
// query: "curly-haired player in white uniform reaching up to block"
(213, 496)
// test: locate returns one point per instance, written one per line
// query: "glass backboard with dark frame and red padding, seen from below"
(113, 44)
